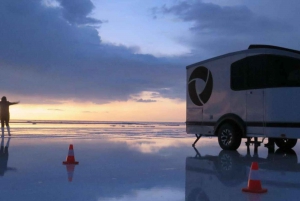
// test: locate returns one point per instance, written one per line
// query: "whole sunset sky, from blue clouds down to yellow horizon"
(124, 60)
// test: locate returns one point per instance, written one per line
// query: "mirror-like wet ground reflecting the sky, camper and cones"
(137, 162)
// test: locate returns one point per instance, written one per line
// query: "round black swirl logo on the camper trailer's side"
(204, 74)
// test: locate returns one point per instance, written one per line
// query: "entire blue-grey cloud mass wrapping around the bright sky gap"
(52, 52)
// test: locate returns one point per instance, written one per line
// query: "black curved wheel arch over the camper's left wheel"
(232, 119)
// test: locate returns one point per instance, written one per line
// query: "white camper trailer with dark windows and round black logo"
(245, 94)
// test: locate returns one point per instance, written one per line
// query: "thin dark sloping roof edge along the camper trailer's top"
(251, 47)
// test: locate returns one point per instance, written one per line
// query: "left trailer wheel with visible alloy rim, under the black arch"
(228, 137)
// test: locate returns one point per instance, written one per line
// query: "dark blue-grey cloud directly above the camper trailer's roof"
(222, 29)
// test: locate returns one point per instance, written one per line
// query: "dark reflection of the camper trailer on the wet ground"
(223, 176)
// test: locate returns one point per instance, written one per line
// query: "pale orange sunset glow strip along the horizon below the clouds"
(163, 110)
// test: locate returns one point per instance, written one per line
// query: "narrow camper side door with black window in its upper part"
(255, 94)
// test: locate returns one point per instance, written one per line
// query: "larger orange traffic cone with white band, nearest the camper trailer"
(254, 184)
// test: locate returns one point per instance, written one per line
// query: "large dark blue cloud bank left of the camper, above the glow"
(52, 53)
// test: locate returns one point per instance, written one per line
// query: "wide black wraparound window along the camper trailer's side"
(265, 71)
